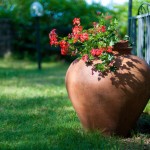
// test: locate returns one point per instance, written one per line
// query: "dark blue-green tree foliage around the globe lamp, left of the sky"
(57, 14)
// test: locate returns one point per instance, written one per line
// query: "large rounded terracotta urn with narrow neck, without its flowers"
(110, 103)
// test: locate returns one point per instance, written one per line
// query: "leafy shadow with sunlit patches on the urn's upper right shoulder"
(123, 73)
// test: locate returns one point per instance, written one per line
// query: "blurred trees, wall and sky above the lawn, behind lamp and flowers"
(18, 28)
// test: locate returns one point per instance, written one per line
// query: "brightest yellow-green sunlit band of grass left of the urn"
(31, 92)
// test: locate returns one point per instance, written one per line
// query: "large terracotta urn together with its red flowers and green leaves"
(112, 102)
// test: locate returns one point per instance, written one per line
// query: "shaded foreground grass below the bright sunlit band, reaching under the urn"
(48, 123)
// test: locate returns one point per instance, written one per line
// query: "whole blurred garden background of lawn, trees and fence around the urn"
(35, 111)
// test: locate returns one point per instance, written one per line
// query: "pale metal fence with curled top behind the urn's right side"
(140, 32)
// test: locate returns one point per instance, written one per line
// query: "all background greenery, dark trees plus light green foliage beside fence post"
(57, 14)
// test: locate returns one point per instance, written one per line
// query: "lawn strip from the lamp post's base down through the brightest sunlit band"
(21, 79)
